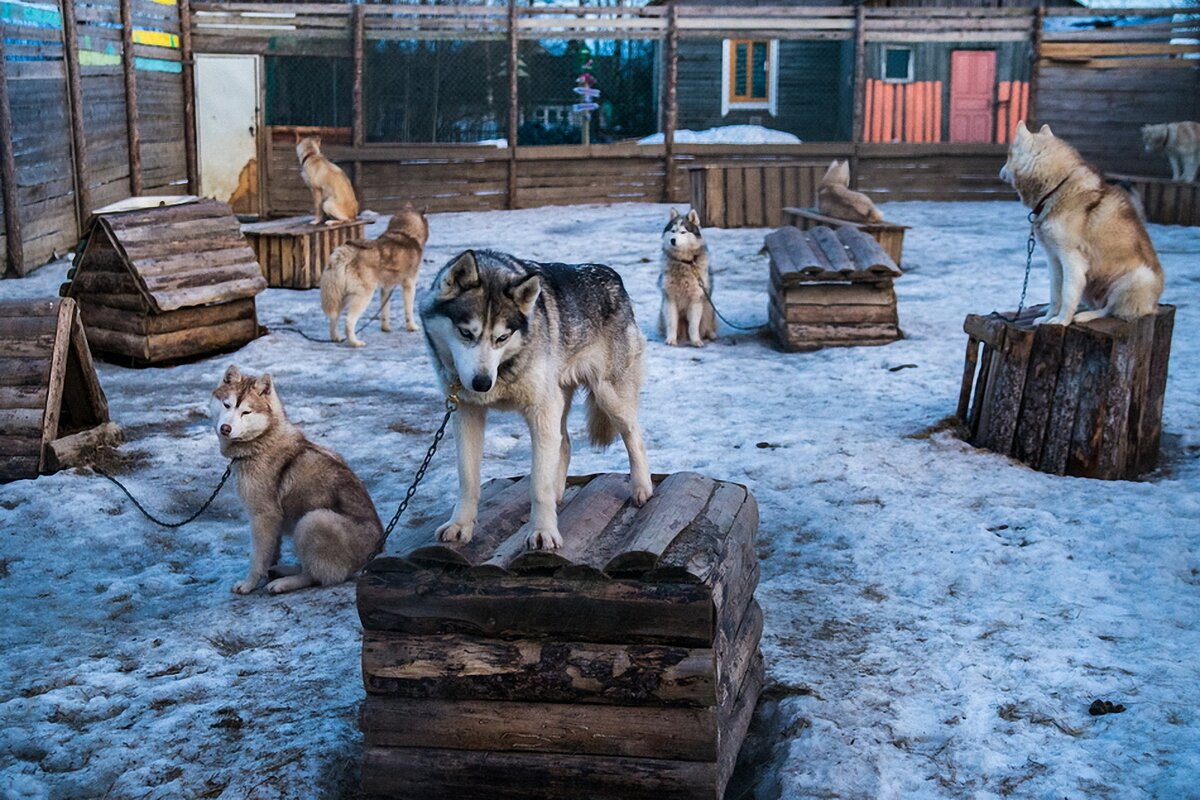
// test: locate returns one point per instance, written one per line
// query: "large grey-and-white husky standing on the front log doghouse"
(523, 336)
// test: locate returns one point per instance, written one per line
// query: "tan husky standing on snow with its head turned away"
(358, 267)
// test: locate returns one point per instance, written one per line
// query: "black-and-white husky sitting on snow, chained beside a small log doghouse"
(686, 282)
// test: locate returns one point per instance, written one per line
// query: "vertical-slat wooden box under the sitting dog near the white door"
(293, 252)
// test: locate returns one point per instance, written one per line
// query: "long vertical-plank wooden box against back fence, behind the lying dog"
(752, 195)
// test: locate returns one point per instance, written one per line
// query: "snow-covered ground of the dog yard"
(938, 618)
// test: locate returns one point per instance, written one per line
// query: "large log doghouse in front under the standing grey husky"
(623, 666)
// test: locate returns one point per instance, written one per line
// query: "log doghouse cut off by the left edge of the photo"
(52, 408)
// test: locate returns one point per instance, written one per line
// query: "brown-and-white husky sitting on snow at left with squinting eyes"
(291, 486)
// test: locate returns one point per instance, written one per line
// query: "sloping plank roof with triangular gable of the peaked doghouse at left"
(167, 258)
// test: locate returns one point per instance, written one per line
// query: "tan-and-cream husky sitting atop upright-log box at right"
(1096, 244)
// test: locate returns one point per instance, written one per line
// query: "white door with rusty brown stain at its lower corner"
(227, 112)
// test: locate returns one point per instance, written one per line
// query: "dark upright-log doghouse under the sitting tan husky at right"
(1084, 401)
